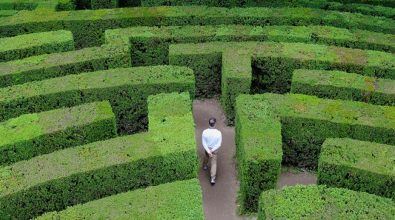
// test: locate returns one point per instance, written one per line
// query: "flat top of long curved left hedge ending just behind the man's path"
(100, 79)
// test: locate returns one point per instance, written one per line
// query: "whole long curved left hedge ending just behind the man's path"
(127, 90)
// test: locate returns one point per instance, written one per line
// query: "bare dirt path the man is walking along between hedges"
(219, 200)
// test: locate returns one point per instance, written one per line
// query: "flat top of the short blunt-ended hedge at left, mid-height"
(30, 126)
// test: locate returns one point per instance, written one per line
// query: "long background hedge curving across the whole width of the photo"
(88, 26)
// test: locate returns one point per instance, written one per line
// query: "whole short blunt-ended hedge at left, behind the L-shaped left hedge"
(40, 133)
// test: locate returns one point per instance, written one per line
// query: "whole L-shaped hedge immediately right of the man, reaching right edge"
(306, 122)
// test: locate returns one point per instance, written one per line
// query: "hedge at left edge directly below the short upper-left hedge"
(60, 64)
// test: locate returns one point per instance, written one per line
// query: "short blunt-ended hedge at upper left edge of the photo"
(14, 48)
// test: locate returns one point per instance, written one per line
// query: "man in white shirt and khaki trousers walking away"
(211, 141)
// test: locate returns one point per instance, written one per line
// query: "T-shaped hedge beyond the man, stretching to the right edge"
(272, 65)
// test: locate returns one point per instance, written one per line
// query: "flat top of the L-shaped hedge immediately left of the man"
(166, 135)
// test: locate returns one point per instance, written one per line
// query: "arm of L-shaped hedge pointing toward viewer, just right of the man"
(259, 150)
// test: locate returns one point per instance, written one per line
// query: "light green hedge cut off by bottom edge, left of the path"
(176, 200)
